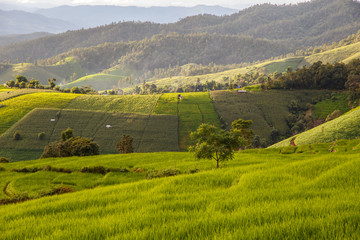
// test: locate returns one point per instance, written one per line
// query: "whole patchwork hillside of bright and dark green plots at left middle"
(156, 122)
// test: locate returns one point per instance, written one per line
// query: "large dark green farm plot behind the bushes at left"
(150, 132)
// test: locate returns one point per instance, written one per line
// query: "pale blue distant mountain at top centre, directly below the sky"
(93, 16)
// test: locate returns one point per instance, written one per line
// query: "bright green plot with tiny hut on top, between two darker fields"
(192, 110)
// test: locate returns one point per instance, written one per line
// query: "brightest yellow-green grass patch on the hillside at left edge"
(16, 108)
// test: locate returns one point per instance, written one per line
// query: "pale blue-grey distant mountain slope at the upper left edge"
(20, 22)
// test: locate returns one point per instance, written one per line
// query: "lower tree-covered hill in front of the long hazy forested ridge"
(174, 49)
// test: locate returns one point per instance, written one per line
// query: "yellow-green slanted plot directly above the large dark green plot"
(130, 103)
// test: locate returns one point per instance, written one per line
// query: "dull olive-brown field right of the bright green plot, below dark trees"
(267, 109)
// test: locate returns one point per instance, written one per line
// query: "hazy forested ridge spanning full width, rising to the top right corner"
(294, 26)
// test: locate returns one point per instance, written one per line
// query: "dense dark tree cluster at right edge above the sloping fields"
(336, 76)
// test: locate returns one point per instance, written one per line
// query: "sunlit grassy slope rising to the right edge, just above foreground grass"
(343, 127)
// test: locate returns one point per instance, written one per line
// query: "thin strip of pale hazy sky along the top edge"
(147, 3)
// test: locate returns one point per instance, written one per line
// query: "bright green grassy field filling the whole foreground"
(263, 195)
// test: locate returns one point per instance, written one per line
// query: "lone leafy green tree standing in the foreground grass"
(212, 143)
